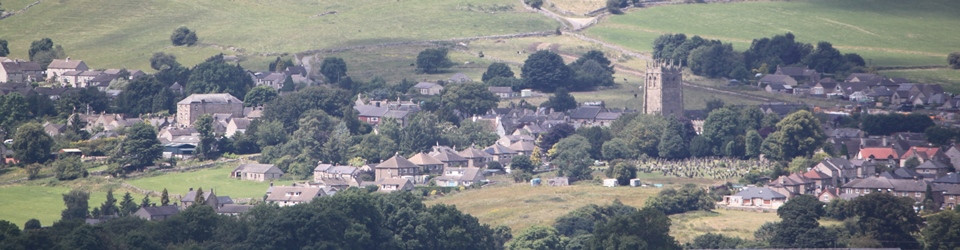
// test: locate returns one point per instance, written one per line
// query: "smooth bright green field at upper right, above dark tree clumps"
(886, 32)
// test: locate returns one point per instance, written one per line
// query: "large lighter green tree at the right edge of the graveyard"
(799, 134)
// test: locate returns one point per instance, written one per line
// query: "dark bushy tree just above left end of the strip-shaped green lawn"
(140, 148)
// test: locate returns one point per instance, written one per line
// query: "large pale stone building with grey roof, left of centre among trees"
(190, 108)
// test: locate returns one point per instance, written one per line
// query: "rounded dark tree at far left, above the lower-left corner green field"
(31, 144)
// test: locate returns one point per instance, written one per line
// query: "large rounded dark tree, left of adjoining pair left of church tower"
(545, 71)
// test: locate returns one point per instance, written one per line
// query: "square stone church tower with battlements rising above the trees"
(663, 91)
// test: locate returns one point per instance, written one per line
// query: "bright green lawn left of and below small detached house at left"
(218, 178)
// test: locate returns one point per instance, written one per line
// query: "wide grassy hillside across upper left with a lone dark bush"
(125, 33)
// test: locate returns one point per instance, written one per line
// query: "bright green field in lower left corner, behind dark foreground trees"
(21, 203)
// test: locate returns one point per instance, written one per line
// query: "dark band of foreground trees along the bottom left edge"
(351, 219)
